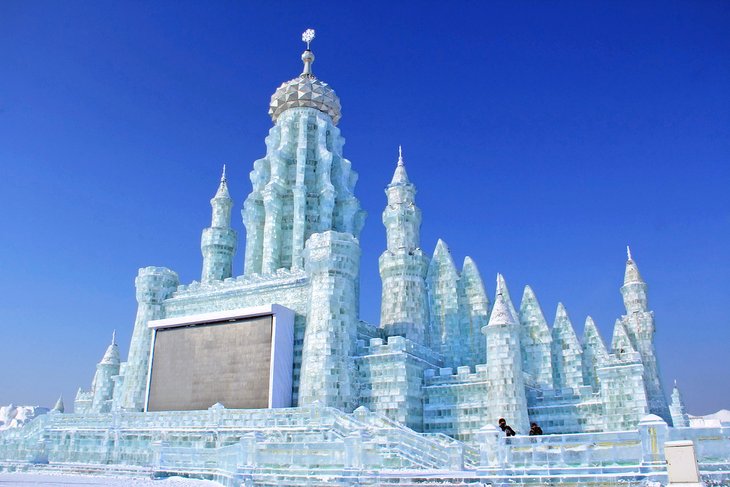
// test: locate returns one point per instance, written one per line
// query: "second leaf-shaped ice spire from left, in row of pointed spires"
(475, 302)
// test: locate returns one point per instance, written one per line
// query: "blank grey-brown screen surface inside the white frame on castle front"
(194, 367)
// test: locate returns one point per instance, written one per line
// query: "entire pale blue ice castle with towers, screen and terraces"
(422, 389)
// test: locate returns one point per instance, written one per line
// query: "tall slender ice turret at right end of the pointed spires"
(639, 326)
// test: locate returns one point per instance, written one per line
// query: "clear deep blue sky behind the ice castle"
(543, 137)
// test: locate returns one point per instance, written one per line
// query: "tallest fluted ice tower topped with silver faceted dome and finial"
(303, 185)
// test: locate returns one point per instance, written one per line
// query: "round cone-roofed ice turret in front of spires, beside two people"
(506, 392)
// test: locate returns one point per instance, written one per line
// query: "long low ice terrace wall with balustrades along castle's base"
(328, 440)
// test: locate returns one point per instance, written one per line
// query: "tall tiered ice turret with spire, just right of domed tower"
(403, 265)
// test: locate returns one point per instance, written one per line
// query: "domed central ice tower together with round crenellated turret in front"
(302, 216)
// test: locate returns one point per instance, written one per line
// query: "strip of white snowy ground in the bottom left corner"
(47, 480)
